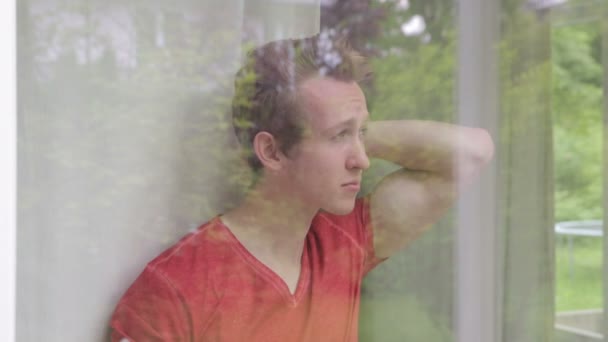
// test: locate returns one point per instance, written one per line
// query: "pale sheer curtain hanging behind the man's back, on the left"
(123, 141)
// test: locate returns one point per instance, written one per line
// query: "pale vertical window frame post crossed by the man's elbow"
(478, 290)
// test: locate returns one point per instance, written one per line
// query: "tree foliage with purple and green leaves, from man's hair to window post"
(412, 77)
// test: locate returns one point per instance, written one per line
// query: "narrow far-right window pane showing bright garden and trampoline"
(578, 115)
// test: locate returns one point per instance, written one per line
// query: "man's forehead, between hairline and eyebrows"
(326, 102)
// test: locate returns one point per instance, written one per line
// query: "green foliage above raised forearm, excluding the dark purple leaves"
(413, 77)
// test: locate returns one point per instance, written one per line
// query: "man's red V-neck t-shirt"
(208, 287)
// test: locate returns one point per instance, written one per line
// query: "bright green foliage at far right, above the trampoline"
(577, 114)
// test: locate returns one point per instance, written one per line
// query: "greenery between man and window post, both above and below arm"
(409, 296)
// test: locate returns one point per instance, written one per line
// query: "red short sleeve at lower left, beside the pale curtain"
(150, 310)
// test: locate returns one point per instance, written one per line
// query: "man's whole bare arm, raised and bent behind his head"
(435, 157)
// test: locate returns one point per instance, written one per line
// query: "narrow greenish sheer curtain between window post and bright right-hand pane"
(525, 189)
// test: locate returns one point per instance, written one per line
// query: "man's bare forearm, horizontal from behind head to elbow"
(430, 146)
